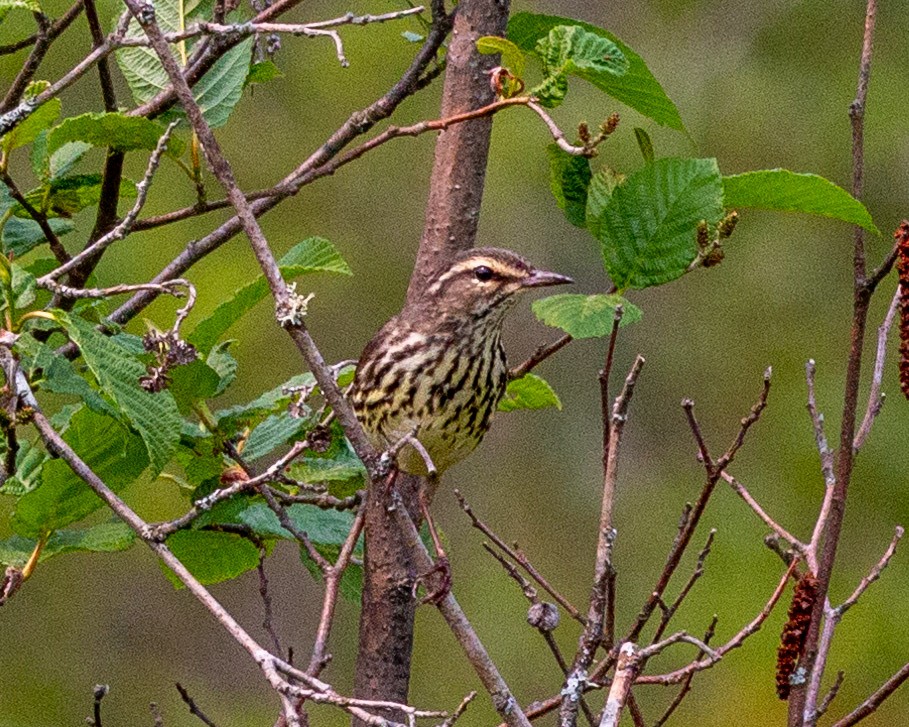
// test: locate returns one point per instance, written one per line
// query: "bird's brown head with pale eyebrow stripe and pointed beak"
(483, 283)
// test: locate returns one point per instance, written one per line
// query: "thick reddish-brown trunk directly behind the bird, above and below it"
(456, 190)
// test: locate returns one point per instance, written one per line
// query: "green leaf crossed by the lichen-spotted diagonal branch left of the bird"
(315, 254)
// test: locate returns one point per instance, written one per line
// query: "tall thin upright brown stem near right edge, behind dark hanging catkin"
(803, 702)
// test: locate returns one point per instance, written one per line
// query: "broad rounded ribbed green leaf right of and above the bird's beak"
(648, 228)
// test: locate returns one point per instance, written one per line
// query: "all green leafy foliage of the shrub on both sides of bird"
(651, 225)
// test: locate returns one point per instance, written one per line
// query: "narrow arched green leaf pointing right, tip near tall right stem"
(780, 189)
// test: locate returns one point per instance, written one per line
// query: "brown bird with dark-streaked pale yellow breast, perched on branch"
(436, 371)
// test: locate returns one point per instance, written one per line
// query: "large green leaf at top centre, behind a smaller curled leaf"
(637, 88)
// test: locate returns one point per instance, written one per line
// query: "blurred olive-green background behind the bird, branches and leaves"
(759, 85)
